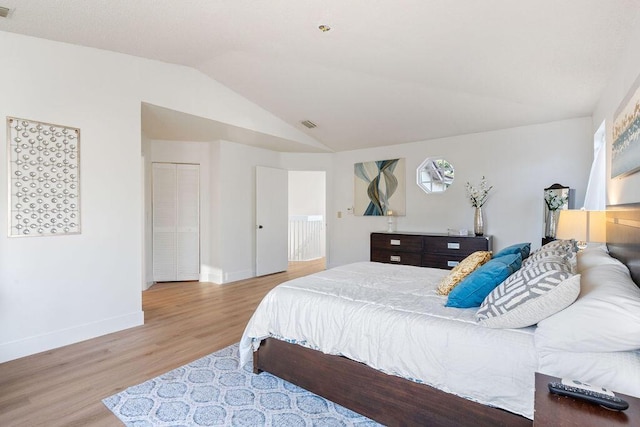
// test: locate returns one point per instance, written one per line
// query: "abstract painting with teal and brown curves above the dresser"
(380, 188)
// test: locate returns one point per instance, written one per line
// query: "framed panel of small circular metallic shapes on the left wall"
(44, 178)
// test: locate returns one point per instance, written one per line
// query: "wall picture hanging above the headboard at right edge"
(625, 149)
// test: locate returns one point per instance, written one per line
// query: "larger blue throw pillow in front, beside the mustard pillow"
(476, 286)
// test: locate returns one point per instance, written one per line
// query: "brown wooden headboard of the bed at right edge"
(623, 236)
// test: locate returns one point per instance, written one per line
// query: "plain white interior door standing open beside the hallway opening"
(271, 220)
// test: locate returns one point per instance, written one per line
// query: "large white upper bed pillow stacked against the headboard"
(604, 318)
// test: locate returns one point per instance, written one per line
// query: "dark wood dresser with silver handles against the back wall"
(425, 250)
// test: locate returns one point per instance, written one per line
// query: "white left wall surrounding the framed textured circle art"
(58, 290)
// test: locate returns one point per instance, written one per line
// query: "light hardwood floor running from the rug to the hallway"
(183, 322)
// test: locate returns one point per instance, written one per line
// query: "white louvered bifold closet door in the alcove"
(176, 222)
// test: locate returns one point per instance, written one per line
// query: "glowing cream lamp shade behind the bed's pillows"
(585, 226)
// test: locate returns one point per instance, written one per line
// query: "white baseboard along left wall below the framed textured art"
(36, 344)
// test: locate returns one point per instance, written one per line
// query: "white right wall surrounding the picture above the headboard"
(626, 189)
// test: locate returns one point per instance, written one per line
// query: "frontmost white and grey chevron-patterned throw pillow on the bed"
(531, 294)
